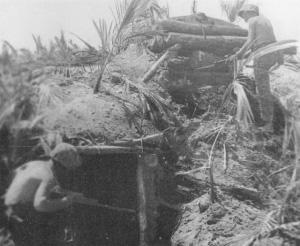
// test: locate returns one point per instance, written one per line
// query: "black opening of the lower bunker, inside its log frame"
(111, 179)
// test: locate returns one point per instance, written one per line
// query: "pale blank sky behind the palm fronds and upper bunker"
(20, 19)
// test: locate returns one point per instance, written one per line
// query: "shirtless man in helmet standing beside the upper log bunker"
(260, 34)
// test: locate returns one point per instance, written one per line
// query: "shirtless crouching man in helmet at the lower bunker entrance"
(35, 214)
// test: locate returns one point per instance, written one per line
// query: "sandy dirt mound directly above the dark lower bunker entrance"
(70, 107)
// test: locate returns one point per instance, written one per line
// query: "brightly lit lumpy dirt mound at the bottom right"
(230, 223)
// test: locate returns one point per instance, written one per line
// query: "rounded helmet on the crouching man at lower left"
(67, 155)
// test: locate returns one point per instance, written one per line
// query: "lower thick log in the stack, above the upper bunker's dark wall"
(218, 45)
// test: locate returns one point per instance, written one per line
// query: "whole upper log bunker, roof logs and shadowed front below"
(200, 62)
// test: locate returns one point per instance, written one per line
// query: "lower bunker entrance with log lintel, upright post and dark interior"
(123, 179)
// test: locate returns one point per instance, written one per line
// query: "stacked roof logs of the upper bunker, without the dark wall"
(199, 32)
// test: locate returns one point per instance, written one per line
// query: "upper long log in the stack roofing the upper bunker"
(199, 29)
